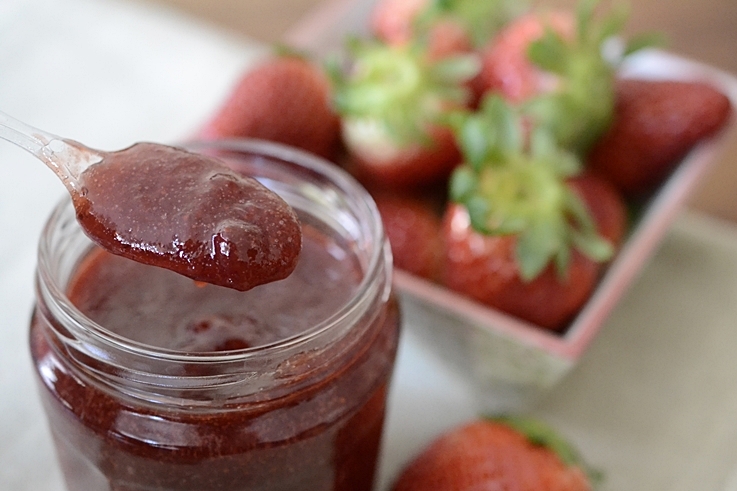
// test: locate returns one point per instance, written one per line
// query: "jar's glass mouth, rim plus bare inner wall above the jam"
(362, 222)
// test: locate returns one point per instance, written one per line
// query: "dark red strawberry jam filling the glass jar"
(318, 430)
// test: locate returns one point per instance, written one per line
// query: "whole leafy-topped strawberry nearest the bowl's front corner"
(526, 233)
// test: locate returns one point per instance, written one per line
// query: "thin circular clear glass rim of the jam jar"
(378, 264)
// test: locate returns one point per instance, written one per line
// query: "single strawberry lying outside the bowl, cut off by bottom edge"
(497, 454)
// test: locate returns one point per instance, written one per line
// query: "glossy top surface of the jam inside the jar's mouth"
(124, 295)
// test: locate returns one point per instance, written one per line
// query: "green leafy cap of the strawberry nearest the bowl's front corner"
(514, 181)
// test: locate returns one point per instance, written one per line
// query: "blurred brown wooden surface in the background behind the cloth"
(705, 30)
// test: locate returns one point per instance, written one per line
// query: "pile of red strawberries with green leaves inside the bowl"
(499, 143)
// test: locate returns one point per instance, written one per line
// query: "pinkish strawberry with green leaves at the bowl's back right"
(554, 65)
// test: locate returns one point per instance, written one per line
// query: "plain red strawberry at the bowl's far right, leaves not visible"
(655, 124)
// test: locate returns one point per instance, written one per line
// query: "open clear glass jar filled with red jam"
(140, 407)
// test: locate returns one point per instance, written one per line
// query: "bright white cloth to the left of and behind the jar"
(107, 73)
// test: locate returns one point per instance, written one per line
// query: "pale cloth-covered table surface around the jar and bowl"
(653, 403)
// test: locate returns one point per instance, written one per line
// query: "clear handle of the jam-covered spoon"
(67, 158)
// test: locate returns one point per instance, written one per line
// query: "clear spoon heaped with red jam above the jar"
(171, 208)
